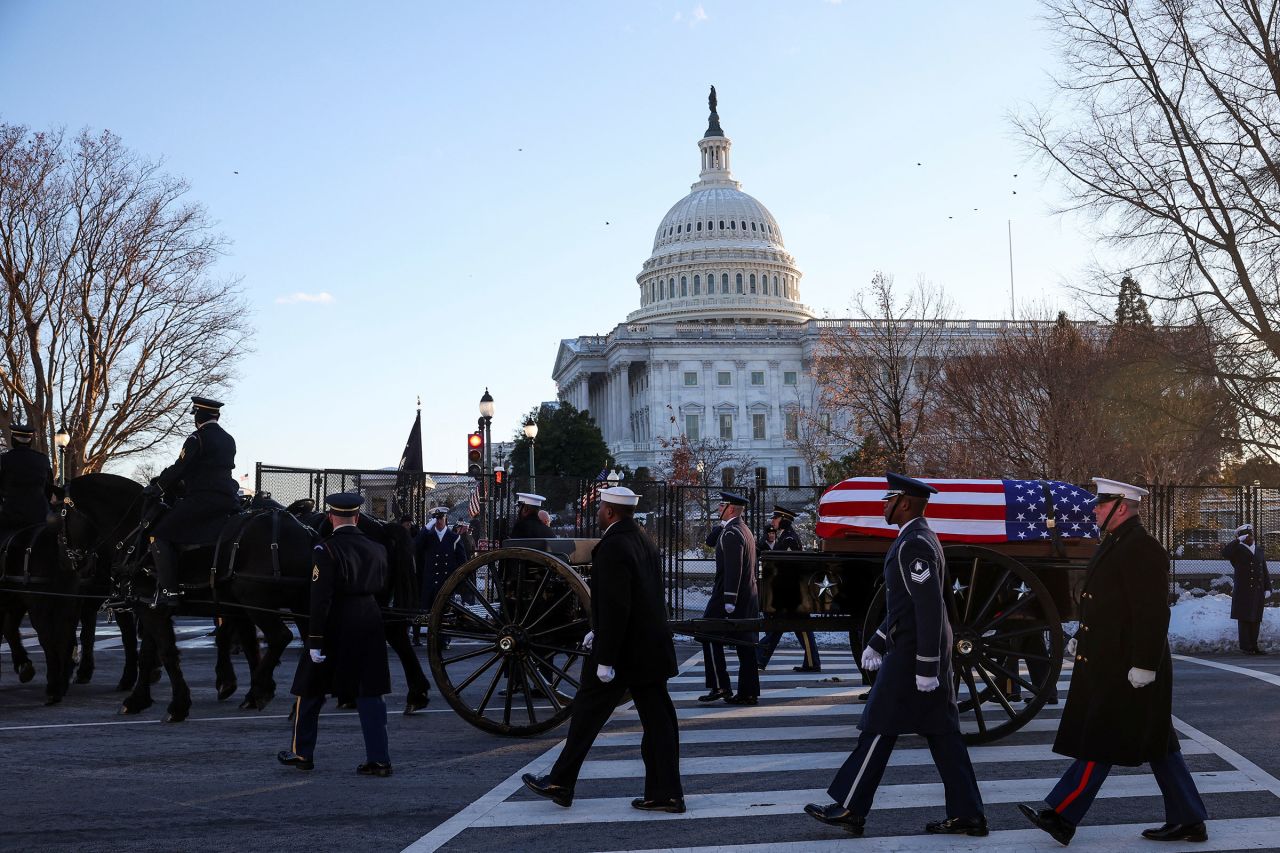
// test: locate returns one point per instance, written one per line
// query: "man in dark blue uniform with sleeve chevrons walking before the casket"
(913, 694)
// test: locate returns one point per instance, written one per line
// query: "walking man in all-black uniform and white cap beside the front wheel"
(630, 649)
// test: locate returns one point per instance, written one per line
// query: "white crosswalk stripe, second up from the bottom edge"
(531, 813)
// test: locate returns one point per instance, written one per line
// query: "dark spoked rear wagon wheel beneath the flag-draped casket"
(1002, 614)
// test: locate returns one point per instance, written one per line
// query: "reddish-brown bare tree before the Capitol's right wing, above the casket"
(880, 373)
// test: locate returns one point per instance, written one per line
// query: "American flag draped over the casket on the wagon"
(964, 510)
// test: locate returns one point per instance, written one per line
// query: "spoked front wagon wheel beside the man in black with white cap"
(514, 621)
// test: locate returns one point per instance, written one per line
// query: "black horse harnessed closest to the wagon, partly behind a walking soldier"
(259, 571)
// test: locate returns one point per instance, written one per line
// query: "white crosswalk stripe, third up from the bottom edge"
(802, 761)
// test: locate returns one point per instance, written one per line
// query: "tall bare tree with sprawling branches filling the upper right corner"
(1168, 131)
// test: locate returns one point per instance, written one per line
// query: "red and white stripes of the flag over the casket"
(962, 510)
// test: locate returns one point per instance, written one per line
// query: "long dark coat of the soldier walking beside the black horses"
(346, 626)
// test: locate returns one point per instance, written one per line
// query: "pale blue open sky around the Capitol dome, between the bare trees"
(446, 172)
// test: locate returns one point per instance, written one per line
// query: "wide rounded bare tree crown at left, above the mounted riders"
(111, 318)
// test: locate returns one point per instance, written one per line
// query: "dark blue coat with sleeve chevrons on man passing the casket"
(915, 640)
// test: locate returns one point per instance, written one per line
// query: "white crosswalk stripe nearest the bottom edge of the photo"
(1235, 834)
